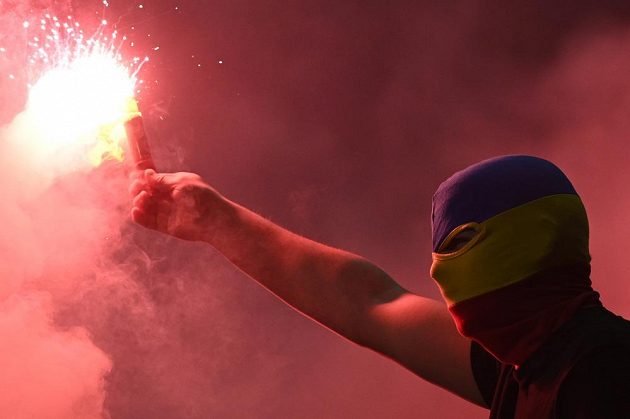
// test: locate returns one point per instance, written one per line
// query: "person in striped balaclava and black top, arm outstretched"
(510, 239)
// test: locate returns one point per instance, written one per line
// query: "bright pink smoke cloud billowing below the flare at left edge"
(45, 246)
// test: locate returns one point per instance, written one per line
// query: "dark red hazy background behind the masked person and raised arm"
(337, 120)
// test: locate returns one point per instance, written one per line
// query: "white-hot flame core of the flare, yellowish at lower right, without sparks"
(83, 104)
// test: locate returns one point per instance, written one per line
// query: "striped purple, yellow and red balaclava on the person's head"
(526, 269)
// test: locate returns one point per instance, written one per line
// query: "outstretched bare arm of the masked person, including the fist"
(340, 290)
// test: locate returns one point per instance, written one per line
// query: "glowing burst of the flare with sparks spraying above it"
(82, 90)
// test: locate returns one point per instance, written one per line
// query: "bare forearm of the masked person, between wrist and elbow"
(334, 287)
